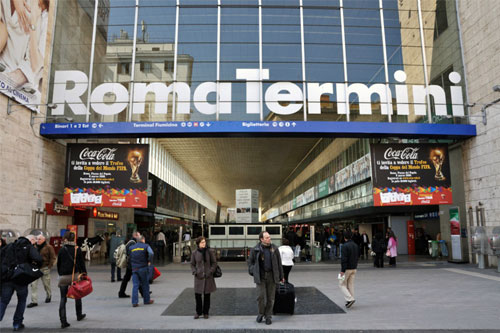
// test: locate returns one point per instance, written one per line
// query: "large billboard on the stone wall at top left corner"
(22, 53)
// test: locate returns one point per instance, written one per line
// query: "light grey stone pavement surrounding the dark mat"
(419, 295)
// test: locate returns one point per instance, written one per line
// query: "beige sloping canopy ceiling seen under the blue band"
(222, 165)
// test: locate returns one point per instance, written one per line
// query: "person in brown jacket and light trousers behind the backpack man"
(49, 259)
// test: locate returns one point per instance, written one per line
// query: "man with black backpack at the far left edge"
(22, 251)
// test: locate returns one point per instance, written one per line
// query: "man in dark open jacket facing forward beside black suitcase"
(264, 264)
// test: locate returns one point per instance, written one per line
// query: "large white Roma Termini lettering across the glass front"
(282, 98)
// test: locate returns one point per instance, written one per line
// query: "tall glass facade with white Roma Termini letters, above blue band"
(337, 60)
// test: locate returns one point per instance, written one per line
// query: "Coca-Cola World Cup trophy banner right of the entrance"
(411, 174)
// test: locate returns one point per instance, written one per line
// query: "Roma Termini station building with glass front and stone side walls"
(381, 71)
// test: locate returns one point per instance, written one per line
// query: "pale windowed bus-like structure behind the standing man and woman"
(235, 240)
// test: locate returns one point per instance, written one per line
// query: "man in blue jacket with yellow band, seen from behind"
(141, 255)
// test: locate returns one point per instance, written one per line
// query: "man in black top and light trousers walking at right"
(349, 264)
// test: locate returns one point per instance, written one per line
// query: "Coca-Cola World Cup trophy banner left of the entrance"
(106, 175)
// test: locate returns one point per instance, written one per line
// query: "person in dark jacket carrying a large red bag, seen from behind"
(70, 258)
